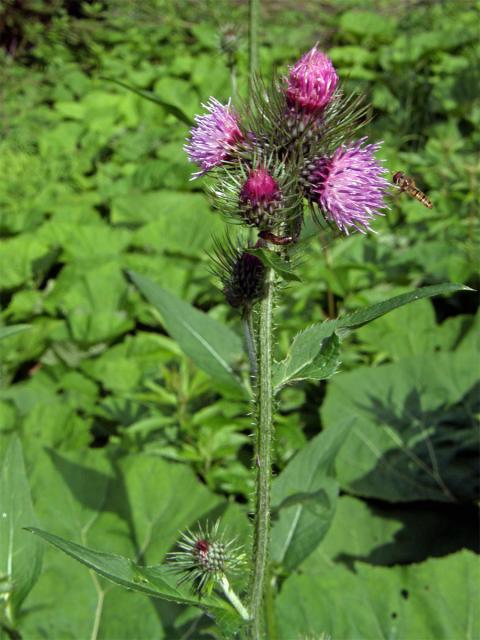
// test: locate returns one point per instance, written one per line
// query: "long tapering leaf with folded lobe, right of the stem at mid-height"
(312, 357)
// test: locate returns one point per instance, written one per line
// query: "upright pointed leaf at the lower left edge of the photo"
(20, 555)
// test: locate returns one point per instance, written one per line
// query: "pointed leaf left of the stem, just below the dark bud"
(212, 346)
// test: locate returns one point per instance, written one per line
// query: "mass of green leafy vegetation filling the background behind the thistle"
(120, 430)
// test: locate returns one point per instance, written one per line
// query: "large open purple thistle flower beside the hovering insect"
(349, 186)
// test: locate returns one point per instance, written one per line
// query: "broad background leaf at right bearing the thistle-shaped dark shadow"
(416, 437)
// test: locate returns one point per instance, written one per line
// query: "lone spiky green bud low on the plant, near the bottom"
(203, 557)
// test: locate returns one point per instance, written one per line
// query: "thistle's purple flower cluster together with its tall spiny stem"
(295, 143)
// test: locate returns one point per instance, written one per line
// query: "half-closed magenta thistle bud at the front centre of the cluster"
(259, 197)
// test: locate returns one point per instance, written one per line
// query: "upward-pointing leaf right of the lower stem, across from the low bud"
(304, 498)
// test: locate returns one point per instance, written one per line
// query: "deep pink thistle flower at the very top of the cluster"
(311, 82)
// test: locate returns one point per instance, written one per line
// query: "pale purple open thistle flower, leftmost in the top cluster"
(215, 136)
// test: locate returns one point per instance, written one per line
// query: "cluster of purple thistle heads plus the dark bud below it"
(296, 142)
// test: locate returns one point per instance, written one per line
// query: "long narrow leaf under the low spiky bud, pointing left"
(157, 581)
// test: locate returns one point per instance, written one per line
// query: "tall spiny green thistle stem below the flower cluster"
(263, 459)
